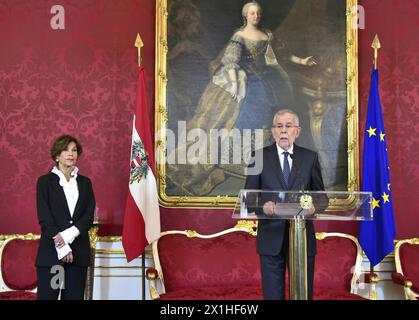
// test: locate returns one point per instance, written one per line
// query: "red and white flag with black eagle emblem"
(142, 213)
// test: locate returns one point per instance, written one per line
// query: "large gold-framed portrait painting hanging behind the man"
(224, 68)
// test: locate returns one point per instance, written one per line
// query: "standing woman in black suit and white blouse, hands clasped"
(65, 204)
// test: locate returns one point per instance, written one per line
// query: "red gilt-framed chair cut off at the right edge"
(406, 255)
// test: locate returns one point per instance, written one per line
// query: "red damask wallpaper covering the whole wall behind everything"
(81, 80)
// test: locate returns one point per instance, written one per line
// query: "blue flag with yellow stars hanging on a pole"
(376, 237)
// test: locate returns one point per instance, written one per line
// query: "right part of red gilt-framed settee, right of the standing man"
(337, 274)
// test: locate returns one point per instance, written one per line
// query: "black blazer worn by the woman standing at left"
(54, 217)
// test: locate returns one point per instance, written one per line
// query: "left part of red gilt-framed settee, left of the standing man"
(189, 265)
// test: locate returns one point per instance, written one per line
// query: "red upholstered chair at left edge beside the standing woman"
(18, 279)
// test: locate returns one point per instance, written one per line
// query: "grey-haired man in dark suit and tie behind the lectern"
(283, 166)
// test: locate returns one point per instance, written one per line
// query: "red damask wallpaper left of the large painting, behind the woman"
(80, 80)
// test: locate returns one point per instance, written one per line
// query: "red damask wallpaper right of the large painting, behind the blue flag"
(396, 23)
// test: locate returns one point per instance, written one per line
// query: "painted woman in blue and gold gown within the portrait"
(248, 86)
